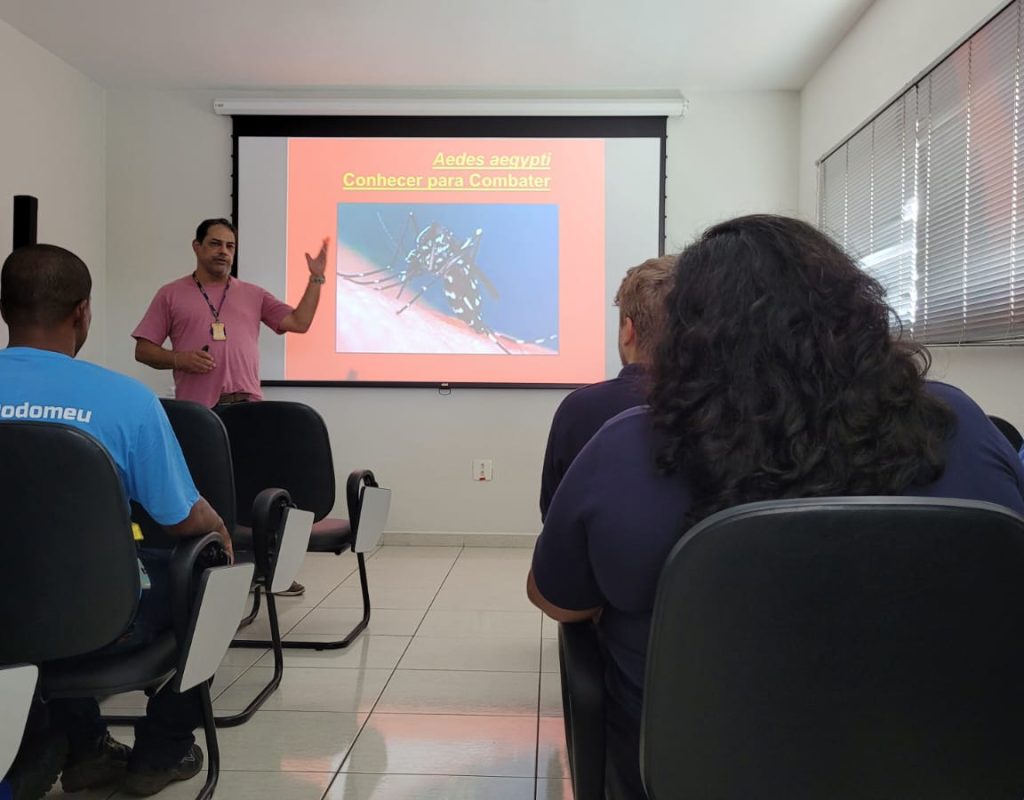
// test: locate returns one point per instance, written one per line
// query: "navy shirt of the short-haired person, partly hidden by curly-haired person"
(580, 416)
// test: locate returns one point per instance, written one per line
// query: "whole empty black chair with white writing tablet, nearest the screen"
(282, 444)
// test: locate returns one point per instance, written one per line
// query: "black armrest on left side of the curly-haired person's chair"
(582, 666)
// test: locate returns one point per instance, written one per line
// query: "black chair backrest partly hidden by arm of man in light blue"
(208, 454)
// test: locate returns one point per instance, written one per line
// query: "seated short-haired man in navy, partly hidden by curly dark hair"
(642, 318)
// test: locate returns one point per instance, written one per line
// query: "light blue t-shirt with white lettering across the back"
(119, 412)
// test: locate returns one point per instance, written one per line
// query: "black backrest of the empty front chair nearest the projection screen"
(283, 445)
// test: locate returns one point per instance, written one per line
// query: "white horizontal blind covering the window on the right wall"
(926, 195)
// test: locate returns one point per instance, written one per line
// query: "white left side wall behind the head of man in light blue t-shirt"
(52, 146)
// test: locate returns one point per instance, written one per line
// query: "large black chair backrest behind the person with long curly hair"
(841, 649)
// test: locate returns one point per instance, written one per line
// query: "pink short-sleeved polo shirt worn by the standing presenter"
(181, 312)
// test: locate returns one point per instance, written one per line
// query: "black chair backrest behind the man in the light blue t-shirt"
(69, 575)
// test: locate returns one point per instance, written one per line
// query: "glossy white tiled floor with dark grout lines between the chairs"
(451, 693)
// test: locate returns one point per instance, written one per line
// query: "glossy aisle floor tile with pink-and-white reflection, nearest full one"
(424, 744)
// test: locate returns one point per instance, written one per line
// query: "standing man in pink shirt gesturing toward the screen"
(214, 322)
